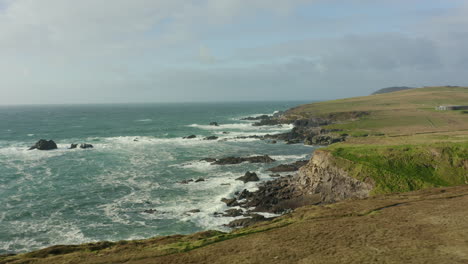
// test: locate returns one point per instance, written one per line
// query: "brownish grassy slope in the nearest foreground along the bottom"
(418, 227)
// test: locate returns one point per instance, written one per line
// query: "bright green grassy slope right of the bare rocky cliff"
(403, 168)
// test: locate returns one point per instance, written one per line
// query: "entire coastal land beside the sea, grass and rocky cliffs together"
(389, 186)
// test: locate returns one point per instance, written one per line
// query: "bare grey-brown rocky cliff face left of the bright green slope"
(321, 180)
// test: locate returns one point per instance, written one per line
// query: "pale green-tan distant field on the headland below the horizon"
(406, 112)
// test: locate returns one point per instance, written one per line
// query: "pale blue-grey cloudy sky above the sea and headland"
(127, 51)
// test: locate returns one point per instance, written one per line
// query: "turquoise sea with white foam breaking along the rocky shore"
(75, 196)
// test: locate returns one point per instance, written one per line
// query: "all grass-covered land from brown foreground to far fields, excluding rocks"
(402, 144)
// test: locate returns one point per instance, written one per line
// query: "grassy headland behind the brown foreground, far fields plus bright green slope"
(402, 143)
